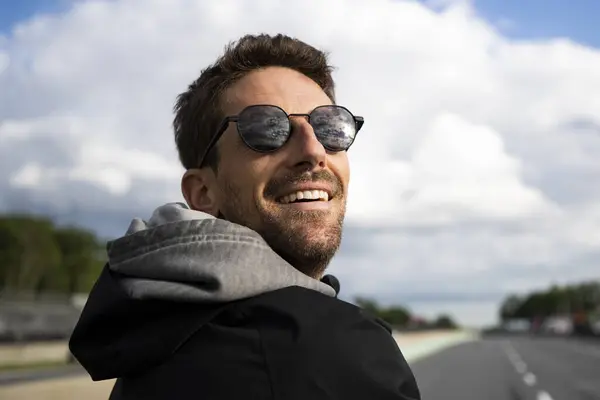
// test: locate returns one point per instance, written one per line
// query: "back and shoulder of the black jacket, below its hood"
(289, 344)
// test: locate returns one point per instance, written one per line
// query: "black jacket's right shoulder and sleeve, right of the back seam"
(316, 346)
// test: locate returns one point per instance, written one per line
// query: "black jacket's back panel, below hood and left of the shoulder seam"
(222, 360)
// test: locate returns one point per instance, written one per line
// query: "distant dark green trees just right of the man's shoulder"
(401, 317)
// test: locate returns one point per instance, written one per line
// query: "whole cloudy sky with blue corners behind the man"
(475, 175)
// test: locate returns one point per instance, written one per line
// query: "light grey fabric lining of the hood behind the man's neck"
(184, 255)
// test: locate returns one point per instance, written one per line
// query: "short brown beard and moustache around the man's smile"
(307, 240)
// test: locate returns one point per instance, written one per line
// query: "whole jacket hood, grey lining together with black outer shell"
(168, 277)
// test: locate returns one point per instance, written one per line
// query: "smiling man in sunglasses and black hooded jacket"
(227, 298)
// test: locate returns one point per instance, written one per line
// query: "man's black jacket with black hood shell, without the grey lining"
(284, 344)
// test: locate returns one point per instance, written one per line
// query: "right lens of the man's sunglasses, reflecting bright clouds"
(334, 126)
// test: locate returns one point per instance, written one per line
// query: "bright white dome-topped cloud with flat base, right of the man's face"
(456, 171)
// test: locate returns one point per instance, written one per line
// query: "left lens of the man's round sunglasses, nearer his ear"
(264, 128)
